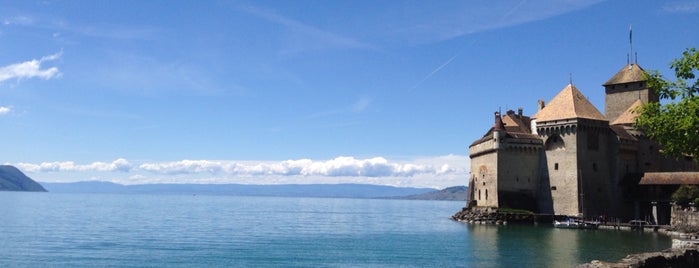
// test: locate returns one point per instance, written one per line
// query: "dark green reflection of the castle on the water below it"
(543, 246)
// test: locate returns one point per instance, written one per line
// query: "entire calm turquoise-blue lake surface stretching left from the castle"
(88, 230)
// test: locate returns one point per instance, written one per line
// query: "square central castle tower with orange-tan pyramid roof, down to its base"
(575, 136)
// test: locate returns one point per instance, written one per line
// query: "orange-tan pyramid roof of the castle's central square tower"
(569, 103)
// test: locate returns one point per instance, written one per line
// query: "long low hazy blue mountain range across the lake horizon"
(287, 190)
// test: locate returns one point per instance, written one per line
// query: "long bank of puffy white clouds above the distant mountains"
(426, 172)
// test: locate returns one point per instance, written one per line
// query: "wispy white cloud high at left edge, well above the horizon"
(30, 69)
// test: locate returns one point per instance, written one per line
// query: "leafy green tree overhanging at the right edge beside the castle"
(675, 124)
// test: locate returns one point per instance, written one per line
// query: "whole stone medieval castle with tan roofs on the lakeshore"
(571, 159)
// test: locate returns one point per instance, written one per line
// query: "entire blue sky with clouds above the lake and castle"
(270, 92)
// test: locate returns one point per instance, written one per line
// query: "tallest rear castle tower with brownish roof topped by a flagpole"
(624, 88)
